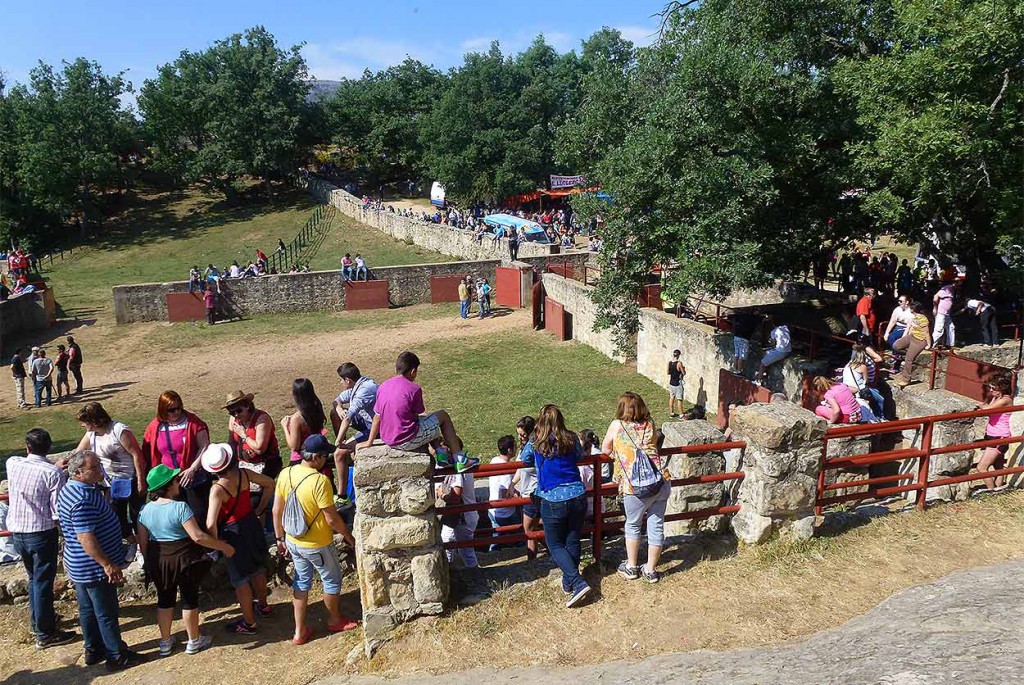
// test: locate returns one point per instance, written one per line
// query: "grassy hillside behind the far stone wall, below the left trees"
(163, 235)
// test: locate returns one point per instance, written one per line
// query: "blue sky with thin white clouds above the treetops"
(343, 37)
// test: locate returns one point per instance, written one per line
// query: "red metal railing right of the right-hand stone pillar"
(881, 487)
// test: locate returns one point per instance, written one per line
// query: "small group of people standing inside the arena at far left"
(48, 373)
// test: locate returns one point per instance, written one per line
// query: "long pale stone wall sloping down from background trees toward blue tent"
(440, 238)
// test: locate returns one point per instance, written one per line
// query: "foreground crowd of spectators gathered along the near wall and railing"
(178, 502)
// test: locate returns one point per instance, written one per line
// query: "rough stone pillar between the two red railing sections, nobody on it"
(782, 464)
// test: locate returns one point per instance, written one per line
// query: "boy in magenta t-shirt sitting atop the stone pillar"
(400, 422)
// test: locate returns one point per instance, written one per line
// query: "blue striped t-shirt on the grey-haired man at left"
(82, 508)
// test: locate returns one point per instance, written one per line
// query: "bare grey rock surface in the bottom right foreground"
(964, 629)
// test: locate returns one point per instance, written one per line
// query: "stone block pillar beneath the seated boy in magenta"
(402, 568)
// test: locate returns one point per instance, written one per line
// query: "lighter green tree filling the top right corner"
(942, 111)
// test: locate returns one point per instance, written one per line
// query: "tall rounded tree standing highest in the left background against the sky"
(238, 108)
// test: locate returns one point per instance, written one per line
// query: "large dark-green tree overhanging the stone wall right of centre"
(732, 165)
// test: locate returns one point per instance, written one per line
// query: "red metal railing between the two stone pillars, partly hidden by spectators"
(604, 521)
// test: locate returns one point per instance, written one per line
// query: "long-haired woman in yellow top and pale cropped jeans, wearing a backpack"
(644, 484)
